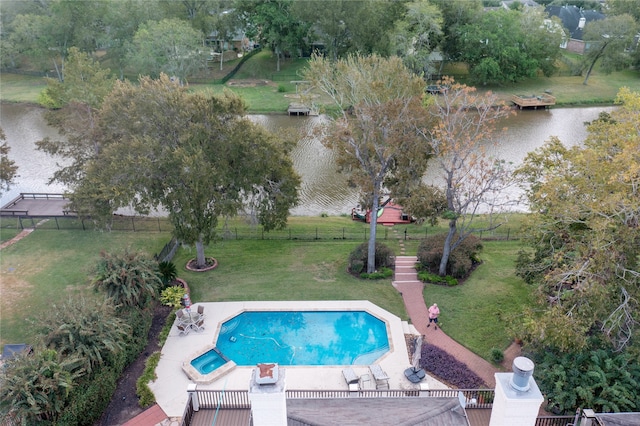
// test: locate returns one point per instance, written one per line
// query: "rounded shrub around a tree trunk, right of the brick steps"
(461, 260)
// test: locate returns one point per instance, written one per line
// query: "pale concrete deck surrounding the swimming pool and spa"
(170, 387)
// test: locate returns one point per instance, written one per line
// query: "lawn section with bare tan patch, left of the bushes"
(48, 266)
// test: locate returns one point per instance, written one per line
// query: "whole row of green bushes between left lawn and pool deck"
(89, 344)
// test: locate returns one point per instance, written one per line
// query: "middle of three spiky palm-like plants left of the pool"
(90, 331)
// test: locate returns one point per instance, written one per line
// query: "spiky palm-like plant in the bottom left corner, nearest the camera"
(35, 387)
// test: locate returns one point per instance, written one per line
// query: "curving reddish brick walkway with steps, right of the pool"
(407, 283)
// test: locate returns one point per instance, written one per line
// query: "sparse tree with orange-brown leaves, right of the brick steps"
(472, 179)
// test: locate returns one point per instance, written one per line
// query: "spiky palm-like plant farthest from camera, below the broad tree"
(129, 279)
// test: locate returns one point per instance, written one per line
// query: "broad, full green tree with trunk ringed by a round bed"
(195, 155)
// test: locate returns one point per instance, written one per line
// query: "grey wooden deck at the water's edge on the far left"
(37, 205)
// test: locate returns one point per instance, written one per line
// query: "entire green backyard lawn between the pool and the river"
(49, 266)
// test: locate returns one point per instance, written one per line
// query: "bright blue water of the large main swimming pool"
(304, 338)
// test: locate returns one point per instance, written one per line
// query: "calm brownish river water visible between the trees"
(323, 190)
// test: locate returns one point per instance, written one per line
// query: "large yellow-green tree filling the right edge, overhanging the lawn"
(584, 235)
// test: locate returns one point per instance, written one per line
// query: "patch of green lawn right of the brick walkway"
(476, 313)
